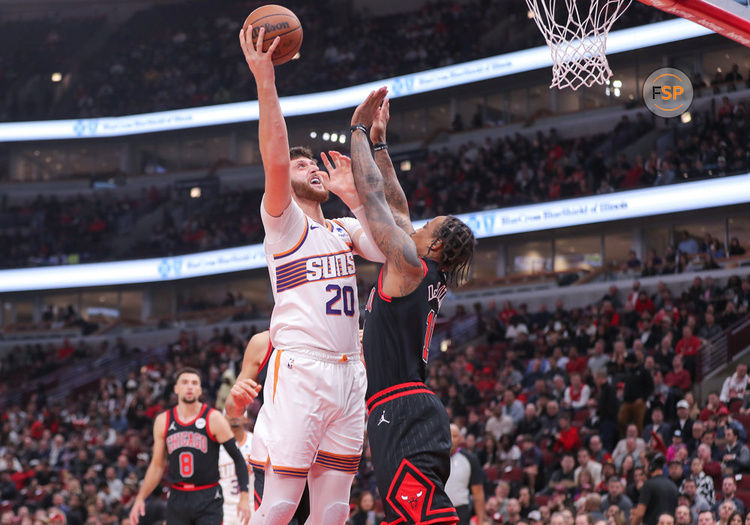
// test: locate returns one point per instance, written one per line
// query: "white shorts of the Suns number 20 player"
(313, 412)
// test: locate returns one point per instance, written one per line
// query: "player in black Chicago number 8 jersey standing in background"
(186, 440)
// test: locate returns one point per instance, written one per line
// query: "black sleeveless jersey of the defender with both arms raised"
(398, 330)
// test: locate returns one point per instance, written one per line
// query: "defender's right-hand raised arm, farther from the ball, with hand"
(394, 194)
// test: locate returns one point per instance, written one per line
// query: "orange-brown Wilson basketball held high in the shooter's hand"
(278, 21)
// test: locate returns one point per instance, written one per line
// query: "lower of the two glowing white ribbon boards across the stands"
(646, 202)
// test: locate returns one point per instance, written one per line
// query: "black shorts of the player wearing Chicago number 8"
(195, 507)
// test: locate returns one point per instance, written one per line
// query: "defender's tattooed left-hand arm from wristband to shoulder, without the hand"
(397, 246)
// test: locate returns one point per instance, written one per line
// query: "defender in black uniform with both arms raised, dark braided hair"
(408, 426)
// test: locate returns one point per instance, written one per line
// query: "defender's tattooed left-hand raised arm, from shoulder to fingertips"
(403, 267)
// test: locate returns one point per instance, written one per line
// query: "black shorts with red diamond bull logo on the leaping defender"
(410, 441)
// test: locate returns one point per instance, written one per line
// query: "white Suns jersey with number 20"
(311, 266)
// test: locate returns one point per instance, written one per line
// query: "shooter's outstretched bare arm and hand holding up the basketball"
(274, 143)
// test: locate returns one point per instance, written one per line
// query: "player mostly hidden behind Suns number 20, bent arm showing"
(246, 388)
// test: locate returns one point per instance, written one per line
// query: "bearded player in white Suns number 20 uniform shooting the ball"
(313, 419)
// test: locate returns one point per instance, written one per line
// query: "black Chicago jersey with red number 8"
(192, 450)
